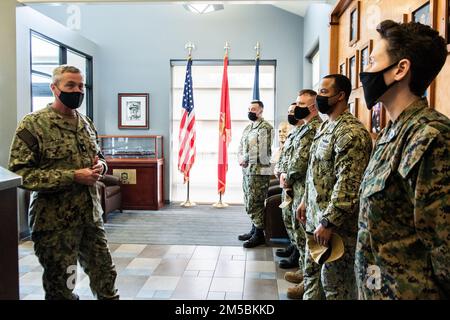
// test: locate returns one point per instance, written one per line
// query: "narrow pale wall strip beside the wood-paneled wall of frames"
(315, 33)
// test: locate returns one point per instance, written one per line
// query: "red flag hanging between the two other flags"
(224, 129)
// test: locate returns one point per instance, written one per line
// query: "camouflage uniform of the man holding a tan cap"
(338, 157)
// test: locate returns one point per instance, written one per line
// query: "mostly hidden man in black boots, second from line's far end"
(287, 153)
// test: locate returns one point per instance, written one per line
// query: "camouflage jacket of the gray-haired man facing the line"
(48, 166)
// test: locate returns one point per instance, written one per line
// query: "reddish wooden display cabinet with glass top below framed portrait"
(138, 161)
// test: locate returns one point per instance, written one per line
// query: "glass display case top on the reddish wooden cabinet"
(132, 147)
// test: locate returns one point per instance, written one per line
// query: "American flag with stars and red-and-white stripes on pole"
(186, 154)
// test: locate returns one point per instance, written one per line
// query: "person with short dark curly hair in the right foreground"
(403, 246)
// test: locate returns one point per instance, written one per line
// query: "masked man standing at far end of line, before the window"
(254, 158)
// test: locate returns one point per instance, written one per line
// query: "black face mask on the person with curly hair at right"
(374, 85)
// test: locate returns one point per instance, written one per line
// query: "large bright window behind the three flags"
(207, 82)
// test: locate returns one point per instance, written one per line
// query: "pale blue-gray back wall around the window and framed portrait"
(136, 43)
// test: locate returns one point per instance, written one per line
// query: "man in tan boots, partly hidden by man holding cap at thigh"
(295, 176)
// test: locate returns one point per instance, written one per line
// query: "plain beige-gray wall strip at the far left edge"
(8, 102)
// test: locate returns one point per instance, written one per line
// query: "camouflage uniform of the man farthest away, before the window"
(255, 149)
